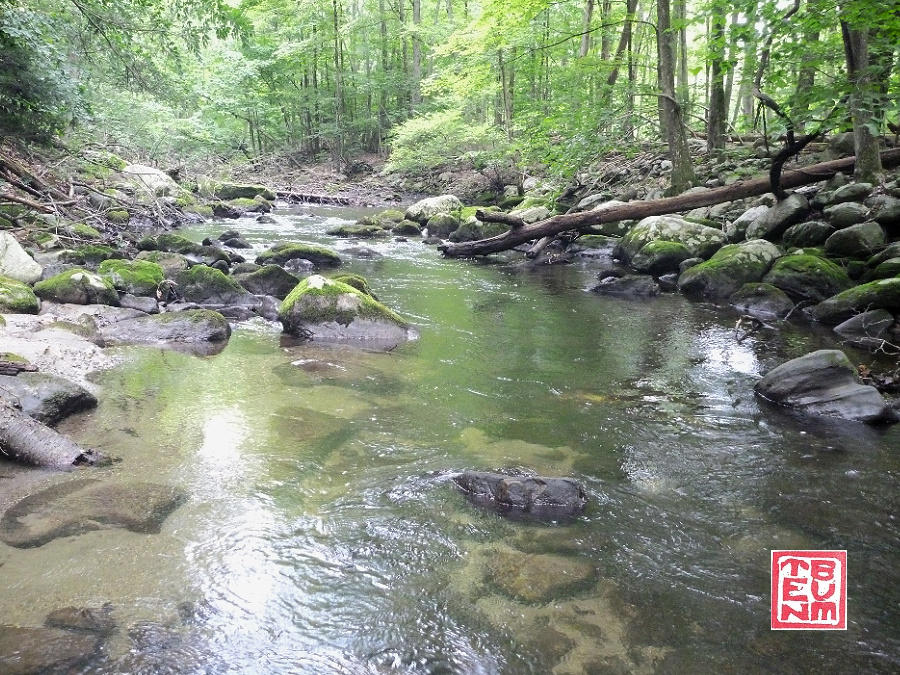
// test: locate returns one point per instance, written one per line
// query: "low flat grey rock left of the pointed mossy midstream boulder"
(190, 326)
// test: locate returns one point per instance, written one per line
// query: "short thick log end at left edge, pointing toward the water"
(27, 440)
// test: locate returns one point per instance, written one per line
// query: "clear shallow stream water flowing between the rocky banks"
(321, 534)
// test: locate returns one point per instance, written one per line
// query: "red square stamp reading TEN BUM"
(809, 590)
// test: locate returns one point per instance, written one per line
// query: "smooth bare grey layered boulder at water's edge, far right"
(824, 383)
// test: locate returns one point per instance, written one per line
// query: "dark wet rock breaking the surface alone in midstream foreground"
(535, 496)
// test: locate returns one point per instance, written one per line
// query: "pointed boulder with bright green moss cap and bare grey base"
(320, 308)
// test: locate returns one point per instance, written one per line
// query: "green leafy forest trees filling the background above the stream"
(443, 82)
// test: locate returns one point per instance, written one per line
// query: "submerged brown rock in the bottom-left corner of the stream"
(43, 651)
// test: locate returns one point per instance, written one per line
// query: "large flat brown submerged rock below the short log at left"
(80, 506)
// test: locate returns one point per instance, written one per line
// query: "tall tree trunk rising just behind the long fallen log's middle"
(670, 116)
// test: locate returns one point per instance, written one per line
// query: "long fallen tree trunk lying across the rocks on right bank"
(656, 207)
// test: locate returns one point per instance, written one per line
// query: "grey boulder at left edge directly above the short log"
(47, 398)
